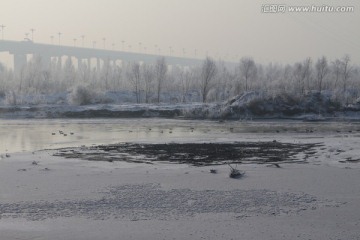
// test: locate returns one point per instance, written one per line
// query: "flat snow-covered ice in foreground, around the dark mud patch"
(48, 197)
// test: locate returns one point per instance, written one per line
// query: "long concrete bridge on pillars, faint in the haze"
(20, 50)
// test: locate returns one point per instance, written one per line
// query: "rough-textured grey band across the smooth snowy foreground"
(149, 201)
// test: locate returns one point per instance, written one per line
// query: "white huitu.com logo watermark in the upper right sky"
(283, 8)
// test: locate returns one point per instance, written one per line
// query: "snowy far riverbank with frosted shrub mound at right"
(313, 106)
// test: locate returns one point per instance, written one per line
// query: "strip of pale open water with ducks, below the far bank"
(31, 135)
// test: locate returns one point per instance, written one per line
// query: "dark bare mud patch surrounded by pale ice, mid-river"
(197, 154)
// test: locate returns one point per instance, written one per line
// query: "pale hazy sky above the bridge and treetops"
(228, 29)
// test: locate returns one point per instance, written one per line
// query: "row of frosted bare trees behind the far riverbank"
(212, 81)
